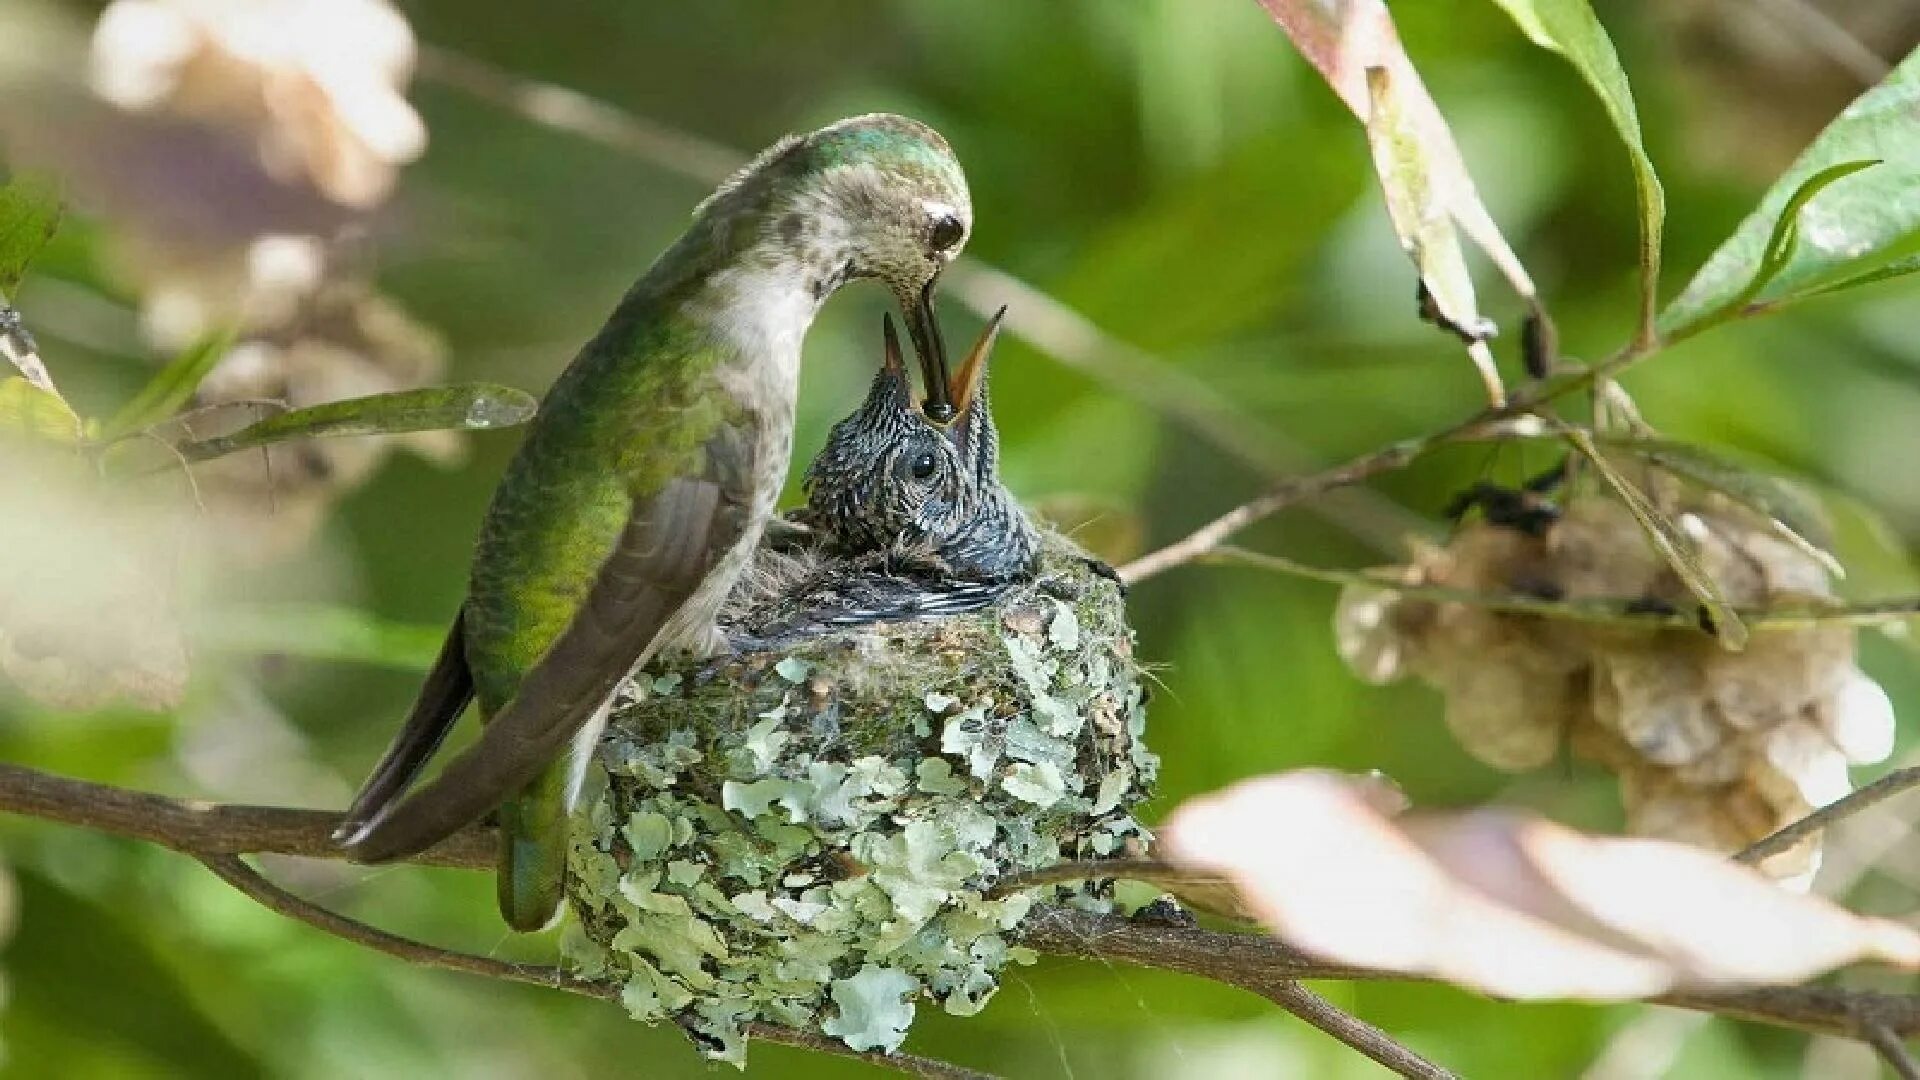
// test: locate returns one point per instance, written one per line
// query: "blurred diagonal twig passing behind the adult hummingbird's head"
(1038, 318)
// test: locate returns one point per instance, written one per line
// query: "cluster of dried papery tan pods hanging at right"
(1712, 747)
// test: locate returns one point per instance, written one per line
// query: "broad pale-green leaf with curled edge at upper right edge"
(1846, 233)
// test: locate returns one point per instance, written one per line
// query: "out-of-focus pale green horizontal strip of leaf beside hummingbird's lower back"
(322, 631)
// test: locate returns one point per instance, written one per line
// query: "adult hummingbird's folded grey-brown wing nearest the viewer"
(669, 549)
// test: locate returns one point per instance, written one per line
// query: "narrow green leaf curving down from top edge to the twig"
(1572, 30)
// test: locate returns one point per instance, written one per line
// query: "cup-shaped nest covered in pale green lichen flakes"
(807, 837)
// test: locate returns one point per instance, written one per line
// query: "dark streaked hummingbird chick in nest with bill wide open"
(907, 512)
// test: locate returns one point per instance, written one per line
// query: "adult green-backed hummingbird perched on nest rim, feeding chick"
(648, 479)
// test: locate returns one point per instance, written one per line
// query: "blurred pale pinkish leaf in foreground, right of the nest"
(1510, 904)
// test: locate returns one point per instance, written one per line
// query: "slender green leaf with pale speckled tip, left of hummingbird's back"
(471, 406)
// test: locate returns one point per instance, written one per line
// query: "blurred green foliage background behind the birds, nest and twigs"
(1174, 172)
